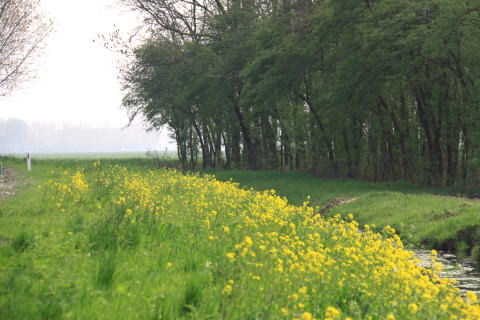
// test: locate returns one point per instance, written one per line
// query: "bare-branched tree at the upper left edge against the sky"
(22, 31)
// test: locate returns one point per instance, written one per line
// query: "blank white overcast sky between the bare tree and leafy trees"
(76, 78)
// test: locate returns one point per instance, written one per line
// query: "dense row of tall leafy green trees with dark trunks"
(375, 89)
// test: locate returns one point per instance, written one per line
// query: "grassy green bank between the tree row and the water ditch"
(422, 216)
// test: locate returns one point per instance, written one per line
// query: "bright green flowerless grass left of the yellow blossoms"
(43, 271)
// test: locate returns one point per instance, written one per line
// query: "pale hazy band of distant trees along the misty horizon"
(18, 136)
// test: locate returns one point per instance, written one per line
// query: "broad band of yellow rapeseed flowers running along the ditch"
(283, 261)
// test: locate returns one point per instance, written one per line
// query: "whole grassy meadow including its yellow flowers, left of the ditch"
(91, 240)
